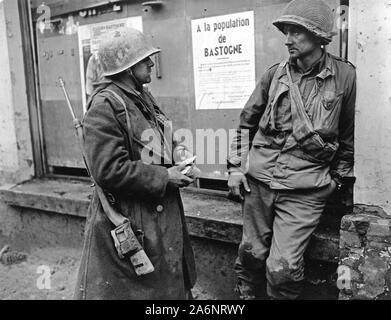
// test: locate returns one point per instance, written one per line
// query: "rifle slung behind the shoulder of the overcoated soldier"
(125, 240)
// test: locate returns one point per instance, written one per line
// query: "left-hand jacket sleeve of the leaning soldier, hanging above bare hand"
(249, 123)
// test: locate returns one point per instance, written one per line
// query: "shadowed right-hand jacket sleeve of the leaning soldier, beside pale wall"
(343, 163)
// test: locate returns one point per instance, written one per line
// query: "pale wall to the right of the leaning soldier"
(370, 50)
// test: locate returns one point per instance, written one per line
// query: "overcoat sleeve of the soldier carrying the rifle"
(109, 161)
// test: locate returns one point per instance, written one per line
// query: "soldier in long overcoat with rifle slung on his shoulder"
(129, 149)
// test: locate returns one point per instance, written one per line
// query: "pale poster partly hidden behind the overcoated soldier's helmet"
(89, 40)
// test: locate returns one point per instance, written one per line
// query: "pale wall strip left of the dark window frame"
(16, 161)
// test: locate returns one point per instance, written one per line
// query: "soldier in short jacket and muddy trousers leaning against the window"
(294, 148)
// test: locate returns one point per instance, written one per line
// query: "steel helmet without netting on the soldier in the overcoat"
(123, 48)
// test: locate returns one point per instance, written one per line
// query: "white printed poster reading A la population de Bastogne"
(224, 60)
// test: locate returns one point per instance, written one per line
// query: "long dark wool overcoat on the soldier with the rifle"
(140, 192)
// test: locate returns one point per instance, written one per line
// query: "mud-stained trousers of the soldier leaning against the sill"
(277, 227)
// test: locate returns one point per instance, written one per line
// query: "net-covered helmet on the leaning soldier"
(314, 15)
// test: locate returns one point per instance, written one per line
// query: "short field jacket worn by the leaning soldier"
(320, 145)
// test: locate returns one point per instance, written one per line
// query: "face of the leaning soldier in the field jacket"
(300, 42)
